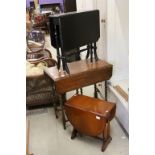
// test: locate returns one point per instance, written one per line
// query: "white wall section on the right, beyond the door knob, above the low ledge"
(117, 37)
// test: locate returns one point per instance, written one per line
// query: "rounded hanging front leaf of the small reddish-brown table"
(85, 122)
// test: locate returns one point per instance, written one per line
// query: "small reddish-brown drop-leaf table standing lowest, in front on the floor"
(90, 116)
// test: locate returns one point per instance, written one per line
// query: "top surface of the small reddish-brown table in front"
(95, 106)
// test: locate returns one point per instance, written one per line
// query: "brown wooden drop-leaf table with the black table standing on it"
(82, 73)
